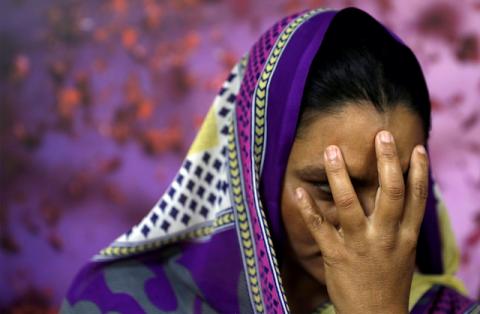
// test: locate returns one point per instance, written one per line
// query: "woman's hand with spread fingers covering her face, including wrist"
(369, 261)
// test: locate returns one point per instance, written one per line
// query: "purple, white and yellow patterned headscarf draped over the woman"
(212, 243)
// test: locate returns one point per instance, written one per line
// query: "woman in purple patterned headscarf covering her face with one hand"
(304, 191)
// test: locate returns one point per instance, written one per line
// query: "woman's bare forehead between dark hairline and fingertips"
(353, 129)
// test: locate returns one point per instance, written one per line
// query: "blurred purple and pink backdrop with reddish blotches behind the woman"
(100, 101)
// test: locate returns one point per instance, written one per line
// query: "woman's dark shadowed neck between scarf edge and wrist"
(304, 293)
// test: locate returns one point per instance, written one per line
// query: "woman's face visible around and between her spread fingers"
(353, 129)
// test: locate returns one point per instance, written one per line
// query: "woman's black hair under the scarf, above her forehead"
(360, 61)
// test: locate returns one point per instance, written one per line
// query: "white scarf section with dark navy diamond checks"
(199, 192)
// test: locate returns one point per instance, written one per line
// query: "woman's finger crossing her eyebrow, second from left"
(350, 213)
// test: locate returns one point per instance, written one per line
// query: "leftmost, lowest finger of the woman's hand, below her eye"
(322, 231)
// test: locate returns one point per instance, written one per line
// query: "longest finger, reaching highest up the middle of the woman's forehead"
(391, 195)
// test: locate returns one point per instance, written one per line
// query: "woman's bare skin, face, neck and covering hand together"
(353, 199)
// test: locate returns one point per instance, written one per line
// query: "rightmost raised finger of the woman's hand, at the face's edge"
(417, 190)
